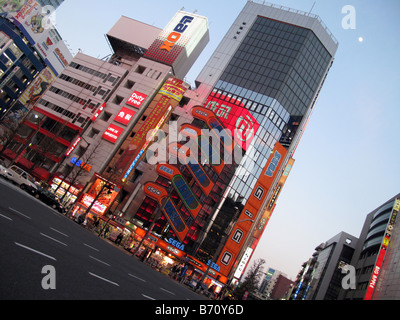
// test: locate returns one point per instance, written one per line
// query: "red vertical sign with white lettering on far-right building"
(382, 251)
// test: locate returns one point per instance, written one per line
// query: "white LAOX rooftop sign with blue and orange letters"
(179, 38)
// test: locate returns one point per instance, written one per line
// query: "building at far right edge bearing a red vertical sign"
(376, 256)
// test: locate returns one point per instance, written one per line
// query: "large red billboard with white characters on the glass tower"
(233, 114)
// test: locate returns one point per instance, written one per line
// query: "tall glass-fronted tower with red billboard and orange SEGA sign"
(262, 82)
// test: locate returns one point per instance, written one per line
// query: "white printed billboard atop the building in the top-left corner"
(36, 23)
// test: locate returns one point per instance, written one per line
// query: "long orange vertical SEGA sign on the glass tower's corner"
(246, 219)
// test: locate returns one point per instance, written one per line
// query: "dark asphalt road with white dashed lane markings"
(37, 242)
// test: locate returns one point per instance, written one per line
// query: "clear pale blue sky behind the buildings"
(347, 162)
